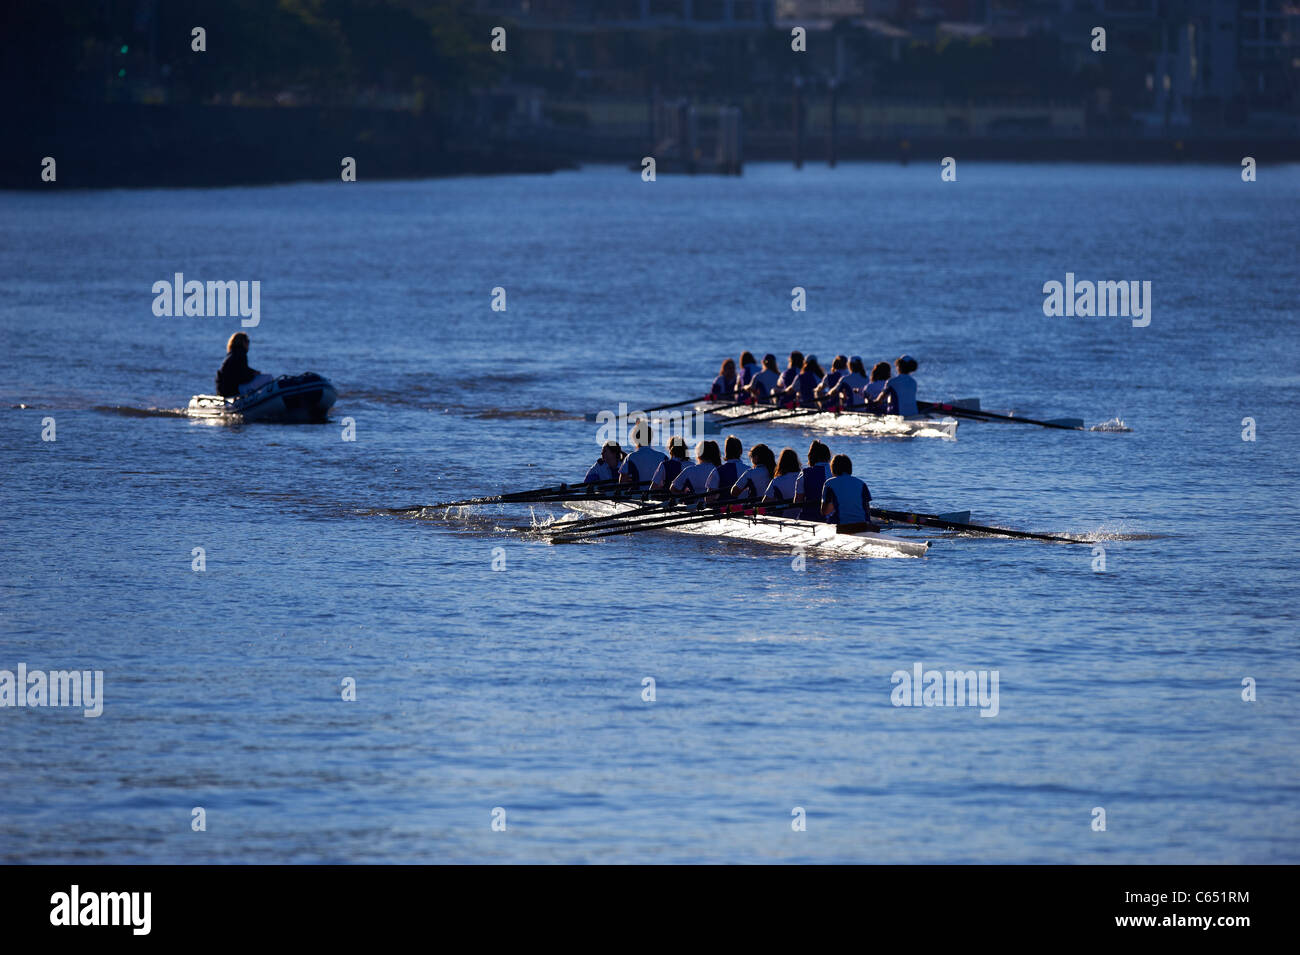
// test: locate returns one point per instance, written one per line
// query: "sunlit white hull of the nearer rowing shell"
(782, 532)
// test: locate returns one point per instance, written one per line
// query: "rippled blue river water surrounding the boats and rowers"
(522, 688)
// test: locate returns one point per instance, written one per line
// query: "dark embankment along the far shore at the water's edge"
(128, 146)
